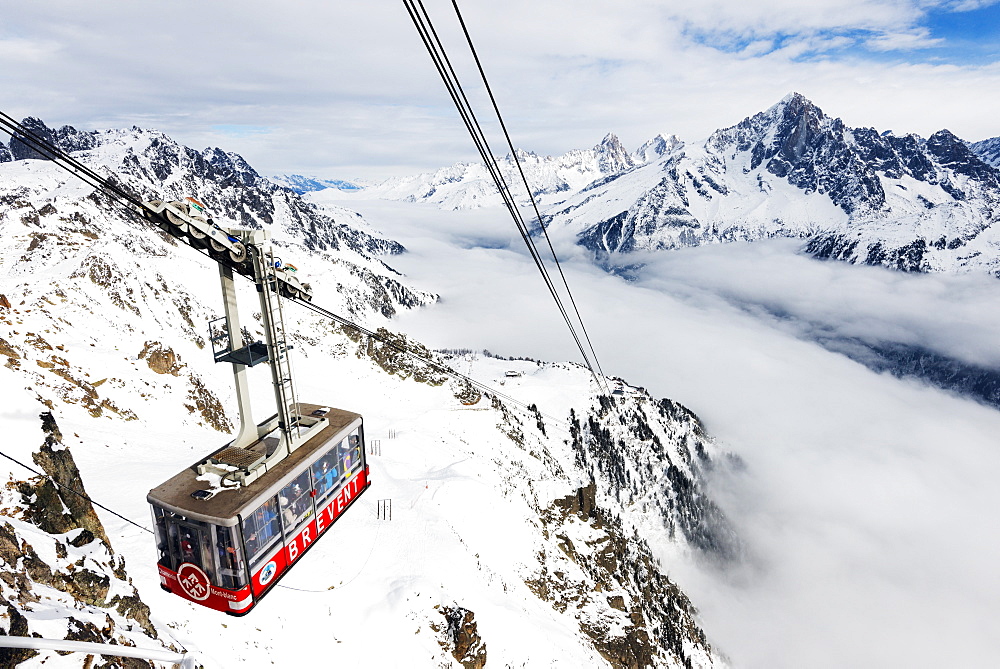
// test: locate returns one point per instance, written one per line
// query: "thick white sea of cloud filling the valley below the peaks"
(867, 501)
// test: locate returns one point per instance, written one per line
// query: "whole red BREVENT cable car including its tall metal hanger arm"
(229, 527)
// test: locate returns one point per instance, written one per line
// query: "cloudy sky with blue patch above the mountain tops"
(347, 91)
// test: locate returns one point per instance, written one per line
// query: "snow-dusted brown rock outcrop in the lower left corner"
(56, 557)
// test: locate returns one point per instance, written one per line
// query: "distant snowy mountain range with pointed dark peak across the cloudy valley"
(852, 194)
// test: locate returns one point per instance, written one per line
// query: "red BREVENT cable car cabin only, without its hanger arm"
(226, 548)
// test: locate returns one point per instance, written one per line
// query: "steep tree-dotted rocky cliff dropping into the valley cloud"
(645, 463)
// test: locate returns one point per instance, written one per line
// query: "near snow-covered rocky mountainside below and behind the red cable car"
(531, 532)
